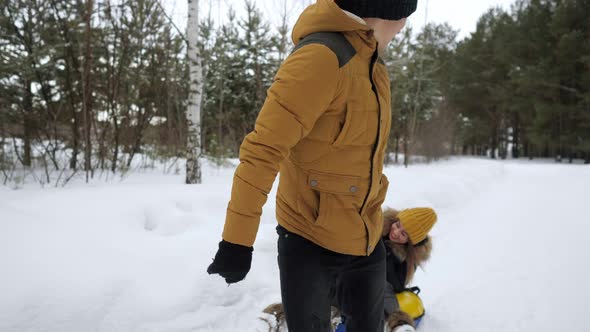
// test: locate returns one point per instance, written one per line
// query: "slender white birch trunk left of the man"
(193, 114)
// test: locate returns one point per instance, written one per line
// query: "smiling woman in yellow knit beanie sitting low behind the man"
(408, 245)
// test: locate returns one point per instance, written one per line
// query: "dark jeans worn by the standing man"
(312, 278)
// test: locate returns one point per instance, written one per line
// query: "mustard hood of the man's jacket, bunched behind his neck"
(324, 16)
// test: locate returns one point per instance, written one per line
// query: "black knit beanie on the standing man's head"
(385, 9)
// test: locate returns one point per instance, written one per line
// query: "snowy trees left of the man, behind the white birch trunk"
(90, 85)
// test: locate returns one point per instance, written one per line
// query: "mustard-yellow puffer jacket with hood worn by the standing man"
(324, 126)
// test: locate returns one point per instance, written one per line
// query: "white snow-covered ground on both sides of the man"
(131, 256)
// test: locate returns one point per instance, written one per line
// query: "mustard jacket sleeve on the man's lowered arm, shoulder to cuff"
(304, 87)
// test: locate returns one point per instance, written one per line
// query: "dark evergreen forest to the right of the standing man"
(518, 86)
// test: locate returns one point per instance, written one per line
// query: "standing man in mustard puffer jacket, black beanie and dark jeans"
(324, 127)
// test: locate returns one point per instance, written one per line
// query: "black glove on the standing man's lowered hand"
(231, 262)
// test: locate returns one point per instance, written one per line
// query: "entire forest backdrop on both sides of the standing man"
(92, 84)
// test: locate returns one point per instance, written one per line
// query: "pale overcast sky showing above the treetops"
(460, 14)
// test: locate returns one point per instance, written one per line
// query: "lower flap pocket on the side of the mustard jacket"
(328, 197)
